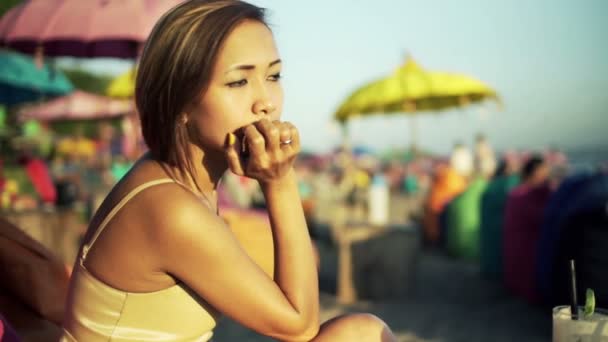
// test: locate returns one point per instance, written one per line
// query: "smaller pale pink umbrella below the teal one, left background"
(78, 105)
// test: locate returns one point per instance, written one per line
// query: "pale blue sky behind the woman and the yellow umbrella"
(547, 59)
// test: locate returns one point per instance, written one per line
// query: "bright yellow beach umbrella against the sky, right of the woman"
(411, 89)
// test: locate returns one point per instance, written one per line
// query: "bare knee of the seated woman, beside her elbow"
(355, 327)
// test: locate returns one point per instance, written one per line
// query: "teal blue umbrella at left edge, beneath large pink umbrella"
(21, 80)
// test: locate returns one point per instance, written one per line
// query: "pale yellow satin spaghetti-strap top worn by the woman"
(98, 312)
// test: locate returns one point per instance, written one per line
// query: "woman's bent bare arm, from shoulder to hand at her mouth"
(198, 248)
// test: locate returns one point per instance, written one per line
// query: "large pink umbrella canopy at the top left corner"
(82, 28)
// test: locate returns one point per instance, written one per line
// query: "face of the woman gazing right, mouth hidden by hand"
(244, 87)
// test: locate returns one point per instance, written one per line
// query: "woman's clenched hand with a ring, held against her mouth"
(270, 149)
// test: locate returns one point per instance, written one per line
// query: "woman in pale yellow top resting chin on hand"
(158, 263)
